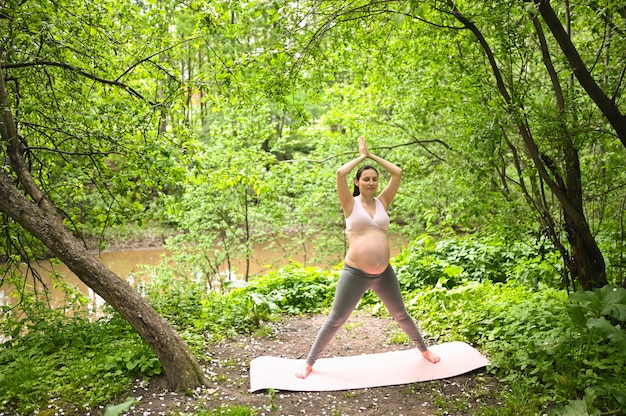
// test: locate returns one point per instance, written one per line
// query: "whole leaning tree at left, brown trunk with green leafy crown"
(71, 106)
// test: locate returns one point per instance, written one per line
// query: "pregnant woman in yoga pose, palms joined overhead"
(366, 264)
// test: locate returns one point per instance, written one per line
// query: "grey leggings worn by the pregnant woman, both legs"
(352, 285)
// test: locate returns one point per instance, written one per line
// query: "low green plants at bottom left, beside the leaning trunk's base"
(71, 363)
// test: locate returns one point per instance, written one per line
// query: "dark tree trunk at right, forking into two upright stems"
(585, 260)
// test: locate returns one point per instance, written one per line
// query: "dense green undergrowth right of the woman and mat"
(550, 348)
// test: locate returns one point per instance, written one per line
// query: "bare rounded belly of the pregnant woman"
(369, 250)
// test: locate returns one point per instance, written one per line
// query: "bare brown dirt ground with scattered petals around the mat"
(227, 366)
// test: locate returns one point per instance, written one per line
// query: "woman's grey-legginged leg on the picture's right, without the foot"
(388, 289)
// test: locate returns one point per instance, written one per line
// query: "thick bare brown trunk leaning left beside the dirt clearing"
(39, 216)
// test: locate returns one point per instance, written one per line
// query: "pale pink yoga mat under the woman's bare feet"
(363, 371)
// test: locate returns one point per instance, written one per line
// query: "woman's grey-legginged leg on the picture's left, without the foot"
(350, 289)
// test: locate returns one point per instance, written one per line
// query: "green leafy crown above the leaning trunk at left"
(85, 105)
